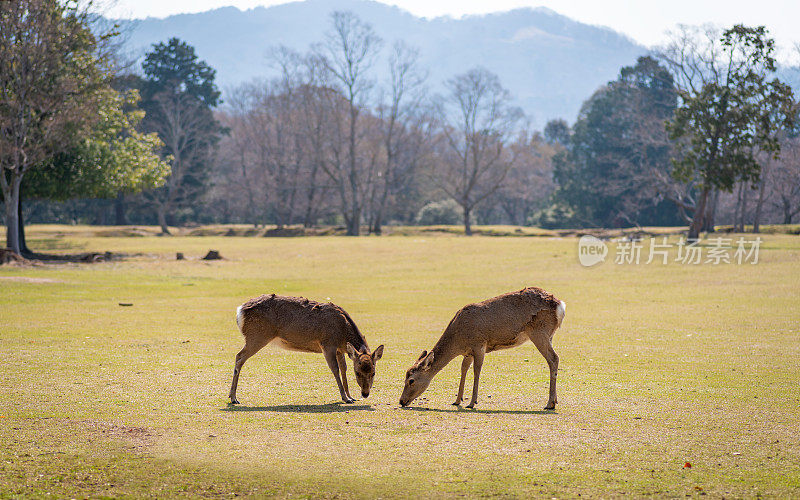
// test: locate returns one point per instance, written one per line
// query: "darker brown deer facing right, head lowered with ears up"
(299, 324)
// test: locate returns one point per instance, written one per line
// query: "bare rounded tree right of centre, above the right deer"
(479, 120)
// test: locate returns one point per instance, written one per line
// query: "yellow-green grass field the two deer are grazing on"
(660, 365)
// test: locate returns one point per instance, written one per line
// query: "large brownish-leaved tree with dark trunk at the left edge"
(49, 76)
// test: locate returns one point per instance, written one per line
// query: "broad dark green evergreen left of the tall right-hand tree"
(617, 151)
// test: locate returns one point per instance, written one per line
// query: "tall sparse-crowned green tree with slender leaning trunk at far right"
(729, 109)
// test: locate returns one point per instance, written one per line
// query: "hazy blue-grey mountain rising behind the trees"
(549, 62)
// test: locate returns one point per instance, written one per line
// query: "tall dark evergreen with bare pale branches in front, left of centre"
(178, 94)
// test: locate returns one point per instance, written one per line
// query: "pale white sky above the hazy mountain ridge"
(646, 21)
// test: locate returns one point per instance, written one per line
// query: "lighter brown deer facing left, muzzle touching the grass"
(498, 323)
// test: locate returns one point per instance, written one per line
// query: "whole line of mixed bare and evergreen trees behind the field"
(699, 131)
